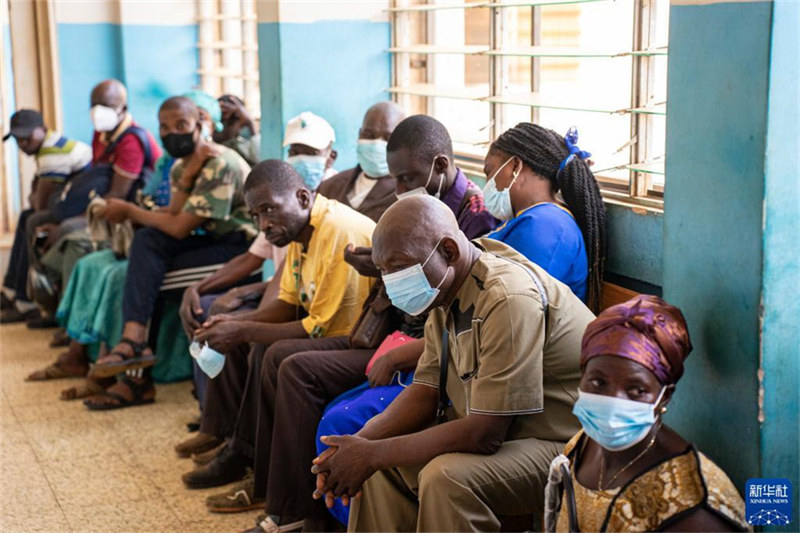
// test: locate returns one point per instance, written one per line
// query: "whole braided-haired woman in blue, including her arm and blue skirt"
(525, 167)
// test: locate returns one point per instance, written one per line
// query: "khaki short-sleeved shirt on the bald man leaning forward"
(504, 359)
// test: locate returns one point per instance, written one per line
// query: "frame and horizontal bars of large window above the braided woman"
(641, 108)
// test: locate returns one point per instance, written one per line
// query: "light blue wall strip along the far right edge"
(780, 431)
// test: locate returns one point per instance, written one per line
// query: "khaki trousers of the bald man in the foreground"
(457, 491)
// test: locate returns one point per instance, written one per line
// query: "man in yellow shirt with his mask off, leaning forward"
(320, 298)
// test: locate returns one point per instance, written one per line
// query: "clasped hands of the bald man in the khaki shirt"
(343, 468)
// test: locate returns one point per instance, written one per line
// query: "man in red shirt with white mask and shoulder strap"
(124, 154)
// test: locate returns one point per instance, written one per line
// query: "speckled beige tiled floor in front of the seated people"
(67, 469)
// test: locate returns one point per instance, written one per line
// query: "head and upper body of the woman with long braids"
(526, 167)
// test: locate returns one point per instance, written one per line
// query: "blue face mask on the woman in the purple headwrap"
(614, 423)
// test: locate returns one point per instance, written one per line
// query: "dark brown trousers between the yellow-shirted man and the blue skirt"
(269, 401)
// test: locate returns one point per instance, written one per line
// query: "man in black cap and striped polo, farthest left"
(57, 160)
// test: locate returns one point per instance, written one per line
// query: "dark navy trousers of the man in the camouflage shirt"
(153, 253)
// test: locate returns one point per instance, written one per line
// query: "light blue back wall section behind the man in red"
(154, 62)
